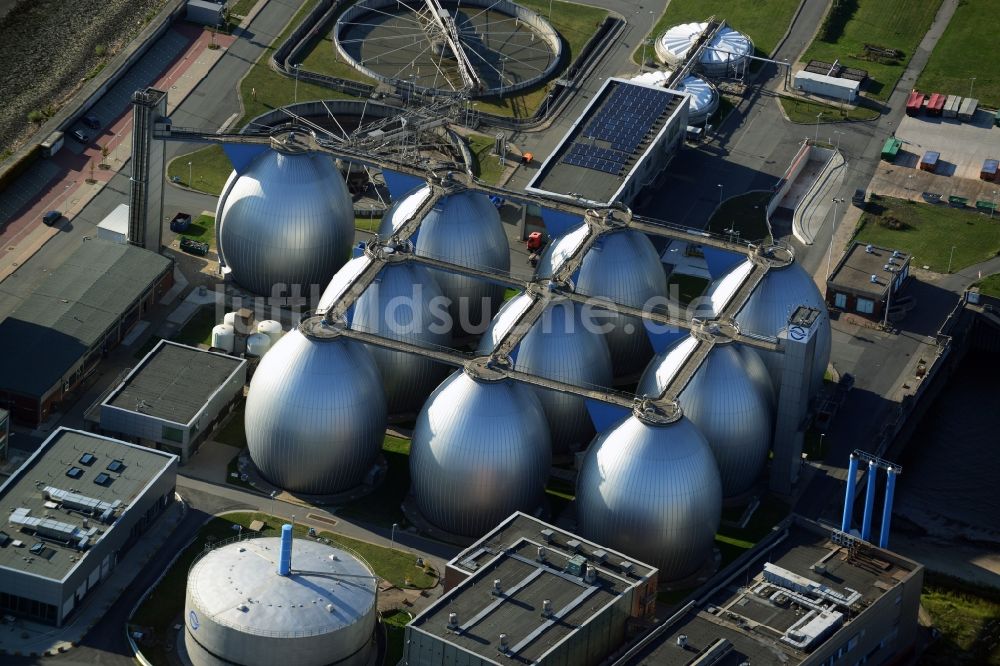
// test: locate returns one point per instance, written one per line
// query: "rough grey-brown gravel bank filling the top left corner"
(49, 47)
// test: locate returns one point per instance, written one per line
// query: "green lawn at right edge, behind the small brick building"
(930, 232)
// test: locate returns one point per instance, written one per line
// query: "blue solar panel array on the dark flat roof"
(623, 122)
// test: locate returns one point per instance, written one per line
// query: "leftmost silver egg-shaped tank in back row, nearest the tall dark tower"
(287, 219)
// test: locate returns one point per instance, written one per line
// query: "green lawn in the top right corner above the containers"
(958, 55)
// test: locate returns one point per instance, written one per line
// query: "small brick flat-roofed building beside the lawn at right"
(860, 283)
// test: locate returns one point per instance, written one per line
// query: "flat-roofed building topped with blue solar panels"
(620, 143)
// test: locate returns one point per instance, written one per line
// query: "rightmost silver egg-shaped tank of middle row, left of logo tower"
(730, 400)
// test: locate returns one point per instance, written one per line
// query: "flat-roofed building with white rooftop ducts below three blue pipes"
(820, 597)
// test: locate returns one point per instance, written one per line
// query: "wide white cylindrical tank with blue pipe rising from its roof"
(239, 610)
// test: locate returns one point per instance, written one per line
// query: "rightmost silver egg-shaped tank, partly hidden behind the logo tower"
(781, 291)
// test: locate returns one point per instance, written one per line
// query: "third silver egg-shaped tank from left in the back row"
(623, 266)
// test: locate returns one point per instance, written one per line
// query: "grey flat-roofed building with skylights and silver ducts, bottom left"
(73, 509)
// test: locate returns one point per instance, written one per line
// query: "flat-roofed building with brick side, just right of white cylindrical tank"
(529, 592)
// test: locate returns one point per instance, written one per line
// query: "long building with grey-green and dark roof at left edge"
(58, 334)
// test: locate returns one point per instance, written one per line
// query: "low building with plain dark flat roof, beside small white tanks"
(174, 398)
